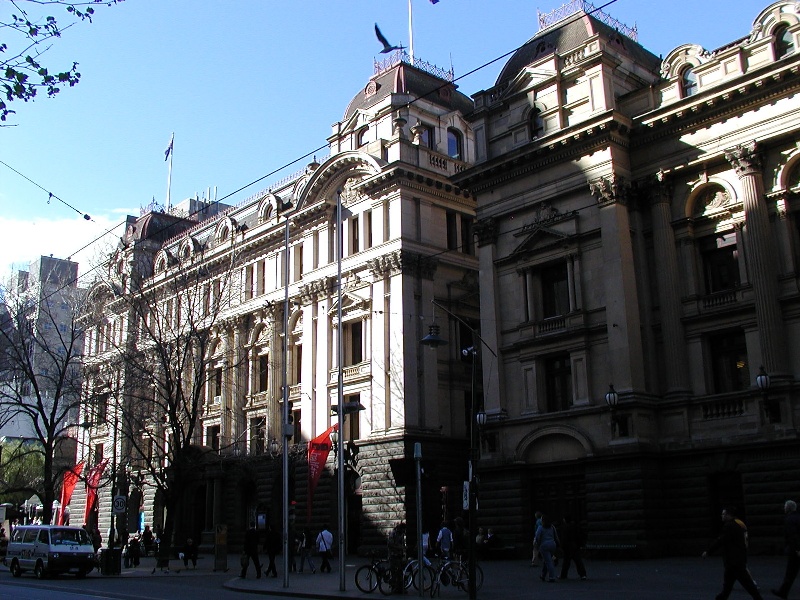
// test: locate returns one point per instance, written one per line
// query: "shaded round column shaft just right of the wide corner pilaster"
(669, 291)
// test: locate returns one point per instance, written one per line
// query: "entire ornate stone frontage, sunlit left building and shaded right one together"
(618, 229)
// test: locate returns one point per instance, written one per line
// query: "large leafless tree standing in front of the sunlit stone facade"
(160, 367)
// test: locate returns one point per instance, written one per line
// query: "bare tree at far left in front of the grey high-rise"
(40, 370)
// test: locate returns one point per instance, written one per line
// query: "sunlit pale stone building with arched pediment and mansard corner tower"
(406, 233)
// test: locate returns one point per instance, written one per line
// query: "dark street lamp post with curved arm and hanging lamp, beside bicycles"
(432, 340)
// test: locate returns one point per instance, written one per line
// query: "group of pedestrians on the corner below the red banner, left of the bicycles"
(301, 544)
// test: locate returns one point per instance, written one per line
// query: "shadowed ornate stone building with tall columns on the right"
(638, 226)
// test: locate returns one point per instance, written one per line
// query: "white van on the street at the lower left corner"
(50, 550)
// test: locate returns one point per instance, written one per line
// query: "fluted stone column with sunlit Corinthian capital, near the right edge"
(746, 160)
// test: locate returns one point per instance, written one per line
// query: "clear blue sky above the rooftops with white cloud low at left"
(247, 86)
